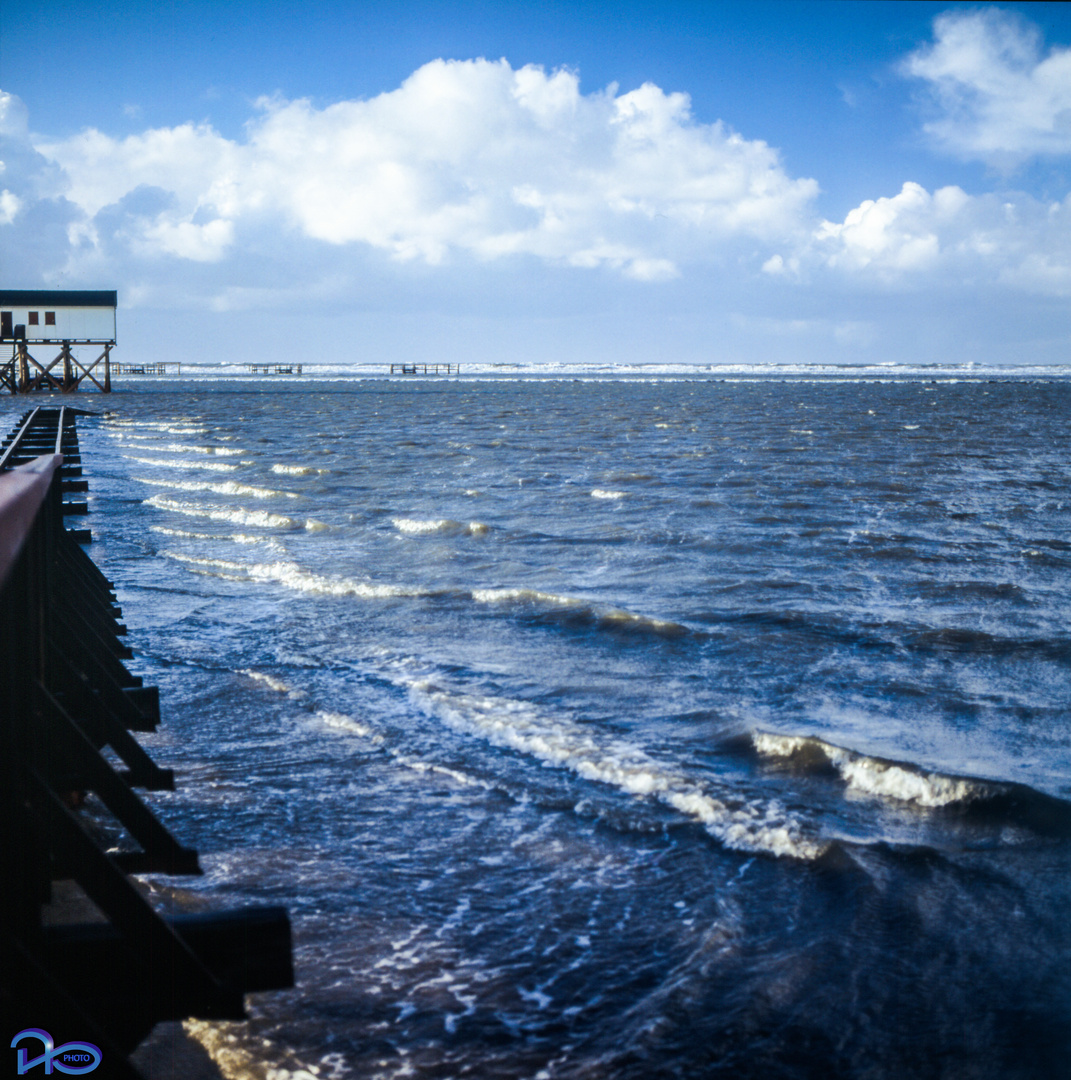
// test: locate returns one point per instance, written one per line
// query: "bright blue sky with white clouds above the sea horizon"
(763, 182)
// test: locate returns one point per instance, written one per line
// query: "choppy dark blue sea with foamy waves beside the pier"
(609, 723)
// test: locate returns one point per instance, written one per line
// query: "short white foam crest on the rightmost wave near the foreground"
(870, 776)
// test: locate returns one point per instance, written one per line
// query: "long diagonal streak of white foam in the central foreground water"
(559, 741)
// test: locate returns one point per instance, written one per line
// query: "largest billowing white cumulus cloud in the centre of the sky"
(466, 157)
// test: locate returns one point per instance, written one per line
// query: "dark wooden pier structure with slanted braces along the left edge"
(71, 819)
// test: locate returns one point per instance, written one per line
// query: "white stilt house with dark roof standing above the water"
(57, 318)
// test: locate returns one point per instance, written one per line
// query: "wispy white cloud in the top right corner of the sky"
(999, 98)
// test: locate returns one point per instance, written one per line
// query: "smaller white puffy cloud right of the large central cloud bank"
(950, 238)
